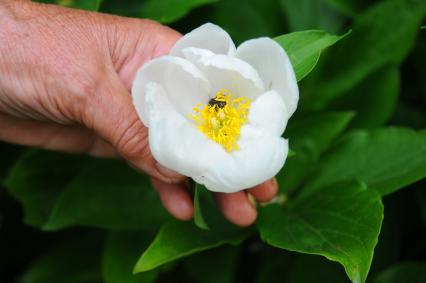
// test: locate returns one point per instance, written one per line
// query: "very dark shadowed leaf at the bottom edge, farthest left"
(76, 260)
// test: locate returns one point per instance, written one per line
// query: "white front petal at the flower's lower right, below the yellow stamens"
(257, 161)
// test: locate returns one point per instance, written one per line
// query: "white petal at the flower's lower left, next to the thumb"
(174, 142)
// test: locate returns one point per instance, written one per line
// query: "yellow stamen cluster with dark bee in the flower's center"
(222, 117)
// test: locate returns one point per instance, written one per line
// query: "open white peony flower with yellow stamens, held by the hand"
(215, 112)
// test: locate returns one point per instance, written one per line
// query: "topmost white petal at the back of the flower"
(207, 36)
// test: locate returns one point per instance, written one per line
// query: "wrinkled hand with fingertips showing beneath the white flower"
(65, 78)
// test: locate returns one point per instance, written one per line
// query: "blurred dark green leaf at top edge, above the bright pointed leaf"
(311, 14)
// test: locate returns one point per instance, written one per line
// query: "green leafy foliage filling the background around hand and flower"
(360, 150)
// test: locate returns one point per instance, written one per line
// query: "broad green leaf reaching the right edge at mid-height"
(386, 159)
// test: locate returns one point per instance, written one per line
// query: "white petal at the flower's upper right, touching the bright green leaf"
(273, 66)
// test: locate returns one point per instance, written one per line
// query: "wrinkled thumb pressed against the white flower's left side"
(112, 116)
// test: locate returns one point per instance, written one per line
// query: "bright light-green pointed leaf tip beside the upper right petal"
(304, 48)
